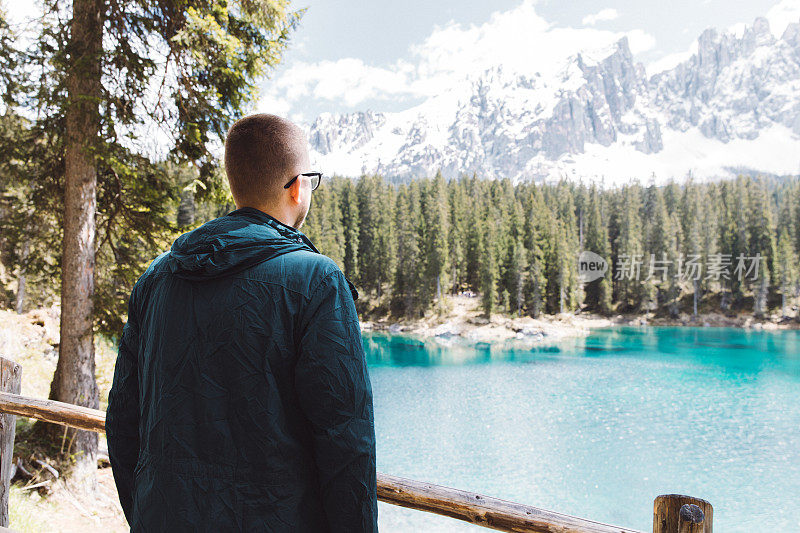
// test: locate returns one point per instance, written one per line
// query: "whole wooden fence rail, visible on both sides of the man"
(477, 509)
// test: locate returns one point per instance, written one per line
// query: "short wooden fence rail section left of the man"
(62, 413)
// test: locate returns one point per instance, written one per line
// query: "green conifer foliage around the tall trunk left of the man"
(188, 69)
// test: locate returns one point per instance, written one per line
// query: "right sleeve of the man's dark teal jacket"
(334, 390)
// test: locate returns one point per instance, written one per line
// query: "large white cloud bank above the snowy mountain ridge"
(519, 40)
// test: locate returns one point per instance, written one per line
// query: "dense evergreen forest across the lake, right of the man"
(409, 245)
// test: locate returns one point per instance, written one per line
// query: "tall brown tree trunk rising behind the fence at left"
(74, 380)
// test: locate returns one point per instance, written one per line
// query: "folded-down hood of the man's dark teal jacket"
(234, 242)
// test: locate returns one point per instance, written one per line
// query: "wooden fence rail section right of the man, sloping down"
(482, 510)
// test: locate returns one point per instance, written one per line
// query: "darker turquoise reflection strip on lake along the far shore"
(729, 349)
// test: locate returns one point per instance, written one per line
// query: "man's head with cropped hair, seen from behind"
(262, 153)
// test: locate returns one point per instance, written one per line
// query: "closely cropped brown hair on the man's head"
(260, 150)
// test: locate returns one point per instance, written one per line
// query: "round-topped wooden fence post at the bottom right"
(675, 513)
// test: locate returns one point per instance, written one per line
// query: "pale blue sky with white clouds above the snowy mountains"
(349, 55)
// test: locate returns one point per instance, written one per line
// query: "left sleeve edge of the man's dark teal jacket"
(122, 414)
